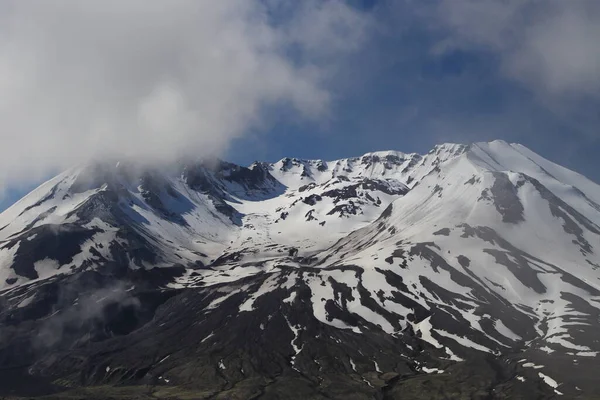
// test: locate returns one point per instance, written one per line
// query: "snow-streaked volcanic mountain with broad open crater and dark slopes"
(470, 272)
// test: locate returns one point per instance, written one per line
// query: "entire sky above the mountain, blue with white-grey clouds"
(158, 81)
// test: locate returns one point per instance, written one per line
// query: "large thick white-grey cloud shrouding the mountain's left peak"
(157, 80)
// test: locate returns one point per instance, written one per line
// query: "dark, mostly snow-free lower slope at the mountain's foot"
(129, 342)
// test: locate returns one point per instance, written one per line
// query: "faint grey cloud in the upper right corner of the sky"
(549, 46)
